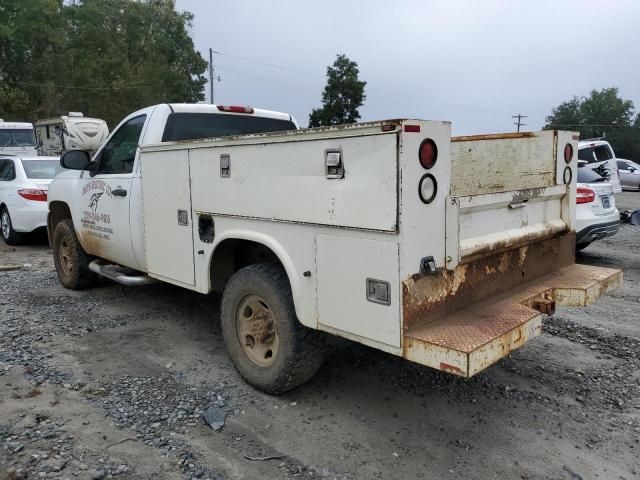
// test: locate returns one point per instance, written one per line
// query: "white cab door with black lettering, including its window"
(104, 214)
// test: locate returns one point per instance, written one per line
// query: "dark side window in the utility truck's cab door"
(119, 153)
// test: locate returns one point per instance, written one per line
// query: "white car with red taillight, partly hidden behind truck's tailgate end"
(596, 213)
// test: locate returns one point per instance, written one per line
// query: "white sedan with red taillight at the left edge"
(24, 182)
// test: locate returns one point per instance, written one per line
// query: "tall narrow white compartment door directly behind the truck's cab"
(166, 197)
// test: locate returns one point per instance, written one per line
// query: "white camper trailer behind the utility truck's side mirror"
(70, 132)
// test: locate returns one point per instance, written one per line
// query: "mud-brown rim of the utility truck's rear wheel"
(257, 331)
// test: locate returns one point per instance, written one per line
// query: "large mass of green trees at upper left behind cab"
(105, 58)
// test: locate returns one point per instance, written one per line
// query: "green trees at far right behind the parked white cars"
(602, 114)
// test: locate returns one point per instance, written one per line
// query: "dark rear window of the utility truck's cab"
(192, 126)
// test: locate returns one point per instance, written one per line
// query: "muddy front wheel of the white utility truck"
(72, 262)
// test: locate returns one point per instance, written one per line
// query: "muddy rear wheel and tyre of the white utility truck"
(266, 342)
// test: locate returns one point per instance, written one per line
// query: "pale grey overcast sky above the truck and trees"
(474, 63)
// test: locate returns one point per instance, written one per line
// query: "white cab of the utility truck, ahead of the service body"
(105, 201)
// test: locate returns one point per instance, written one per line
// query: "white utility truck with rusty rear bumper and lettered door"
(445, 251)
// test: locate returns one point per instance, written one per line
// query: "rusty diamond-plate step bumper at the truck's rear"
(468, 341)
